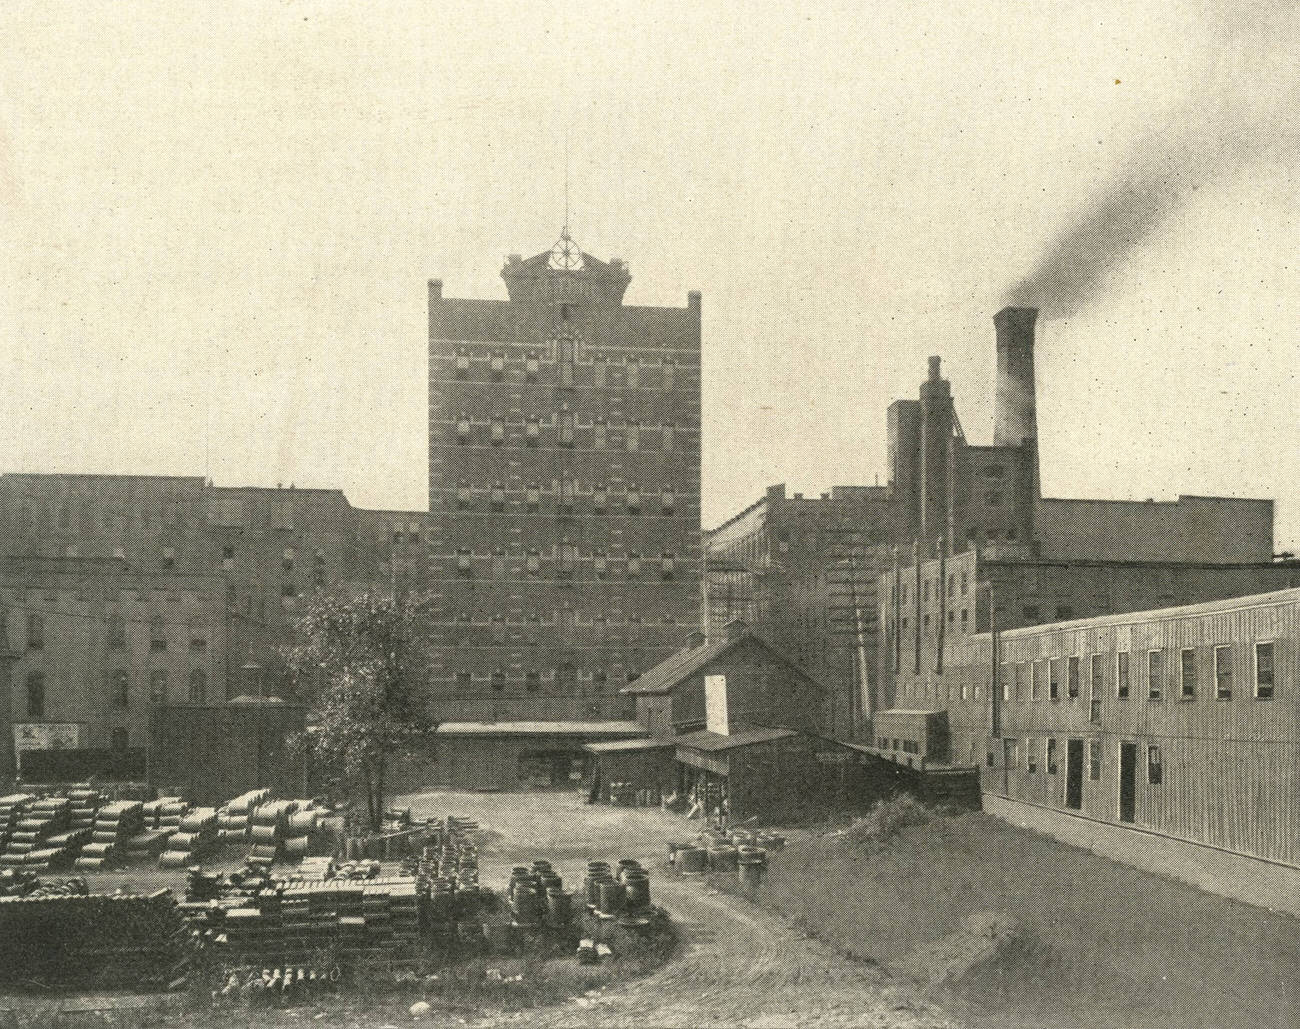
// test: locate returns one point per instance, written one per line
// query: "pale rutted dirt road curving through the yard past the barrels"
(738, 966)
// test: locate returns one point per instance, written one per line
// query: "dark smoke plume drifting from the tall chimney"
(1242, 116)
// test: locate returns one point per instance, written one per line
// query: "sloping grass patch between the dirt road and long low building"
(1095, 943)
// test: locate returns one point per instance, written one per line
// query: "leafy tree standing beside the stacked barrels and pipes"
(358, 661)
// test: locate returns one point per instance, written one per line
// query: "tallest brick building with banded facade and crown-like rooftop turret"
(564, 490)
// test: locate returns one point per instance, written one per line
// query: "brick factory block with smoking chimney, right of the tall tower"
(803, 571)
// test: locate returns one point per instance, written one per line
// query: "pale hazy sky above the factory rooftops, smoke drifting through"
(219, 222)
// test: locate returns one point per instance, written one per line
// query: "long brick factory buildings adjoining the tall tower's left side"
(255, 552)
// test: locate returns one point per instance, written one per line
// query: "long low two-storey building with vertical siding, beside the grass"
(1180, 723)
